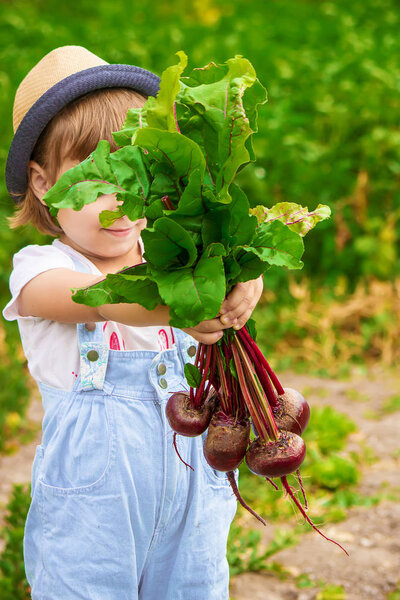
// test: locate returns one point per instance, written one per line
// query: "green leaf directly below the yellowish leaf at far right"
(277, 245)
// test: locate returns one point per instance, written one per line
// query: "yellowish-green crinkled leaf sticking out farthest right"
(296, 217)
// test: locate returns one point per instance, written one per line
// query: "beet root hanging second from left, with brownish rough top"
(226, 442)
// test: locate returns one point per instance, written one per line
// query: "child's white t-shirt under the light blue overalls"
(51, 348)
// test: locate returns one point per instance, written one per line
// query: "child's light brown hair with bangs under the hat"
(73, 133)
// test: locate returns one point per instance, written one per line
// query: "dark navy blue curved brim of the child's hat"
(54, 99)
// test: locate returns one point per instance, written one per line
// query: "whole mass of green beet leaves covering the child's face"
(178, 158)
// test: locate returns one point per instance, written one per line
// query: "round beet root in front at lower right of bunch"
(276, 458)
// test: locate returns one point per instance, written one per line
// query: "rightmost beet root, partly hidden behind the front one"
(291, 412)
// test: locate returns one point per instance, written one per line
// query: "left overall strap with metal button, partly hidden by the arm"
(93, 351)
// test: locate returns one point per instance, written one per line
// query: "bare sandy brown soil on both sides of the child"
(371, 535)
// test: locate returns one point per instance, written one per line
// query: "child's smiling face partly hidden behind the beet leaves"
(83, 231)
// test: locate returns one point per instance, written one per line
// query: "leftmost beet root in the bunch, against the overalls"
(186, 419)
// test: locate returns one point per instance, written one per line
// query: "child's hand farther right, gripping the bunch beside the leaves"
(238, 306)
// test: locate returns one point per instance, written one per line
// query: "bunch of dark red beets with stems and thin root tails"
(238, 388)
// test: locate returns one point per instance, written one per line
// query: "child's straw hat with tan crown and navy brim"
(58, 78)
